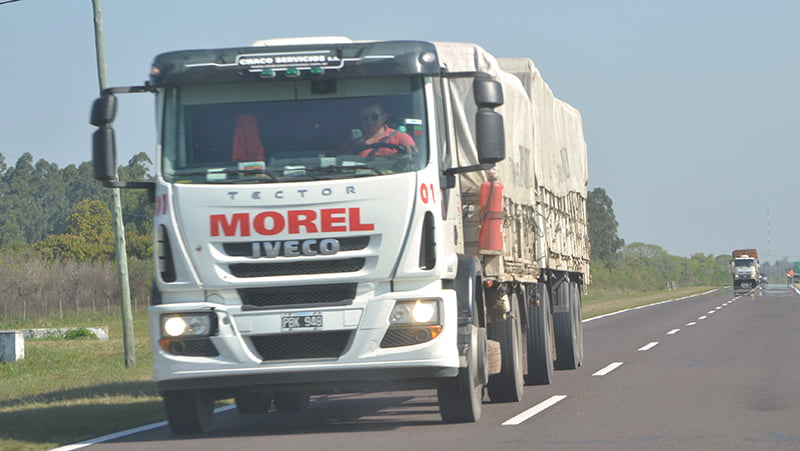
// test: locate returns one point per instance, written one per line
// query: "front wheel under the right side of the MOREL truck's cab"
(460, 397)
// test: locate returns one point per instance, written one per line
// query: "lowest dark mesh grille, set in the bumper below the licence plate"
(312, 345)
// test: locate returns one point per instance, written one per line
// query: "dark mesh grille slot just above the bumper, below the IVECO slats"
(317, 295)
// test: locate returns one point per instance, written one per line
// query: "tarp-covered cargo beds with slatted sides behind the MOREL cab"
(545, 172)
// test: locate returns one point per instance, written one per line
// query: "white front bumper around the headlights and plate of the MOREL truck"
(361, 364)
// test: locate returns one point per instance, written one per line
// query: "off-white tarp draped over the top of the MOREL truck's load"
(544, 135)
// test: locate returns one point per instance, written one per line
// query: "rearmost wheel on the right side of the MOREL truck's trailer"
(566, 327)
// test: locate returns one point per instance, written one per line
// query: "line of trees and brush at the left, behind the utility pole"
(57, 242)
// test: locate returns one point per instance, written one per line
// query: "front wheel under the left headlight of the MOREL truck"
(189, 411)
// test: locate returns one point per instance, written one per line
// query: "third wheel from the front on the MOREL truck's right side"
(540, 338)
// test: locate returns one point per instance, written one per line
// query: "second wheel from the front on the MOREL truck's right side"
(507, 386)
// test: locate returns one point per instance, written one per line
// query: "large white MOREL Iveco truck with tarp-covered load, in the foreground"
(287, 266)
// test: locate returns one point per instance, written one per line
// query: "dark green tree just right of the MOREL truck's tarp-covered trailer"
(602, 226)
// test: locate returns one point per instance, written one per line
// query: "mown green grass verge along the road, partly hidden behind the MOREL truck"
(65, 391)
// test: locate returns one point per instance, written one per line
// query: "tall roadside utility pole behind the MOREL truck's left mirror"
(119, 227)
